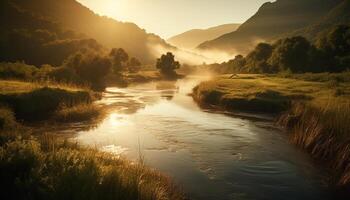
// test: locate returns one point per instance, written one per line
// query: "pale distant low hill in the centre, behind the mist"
(192, 38)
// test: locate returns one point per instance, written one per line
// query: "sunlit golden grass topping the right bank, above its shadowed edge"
(253, 87)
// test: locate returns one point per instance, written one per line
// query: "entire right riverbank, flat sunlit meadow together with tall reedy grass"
(315, 109)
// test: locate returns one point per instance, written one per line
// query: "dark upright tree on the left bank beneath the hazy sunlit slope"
(118, 57)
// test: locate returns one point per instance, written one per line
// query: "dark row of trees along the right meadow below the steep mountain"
(330, 53)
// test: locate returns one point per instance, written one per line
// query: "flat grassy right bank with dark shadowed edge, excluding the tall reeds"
(259, 93)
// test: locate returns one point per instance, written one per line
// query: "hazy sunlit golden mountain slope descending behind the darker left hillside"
(109, 32)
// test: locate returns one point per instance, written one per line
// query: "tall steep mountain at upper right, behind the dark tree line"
(272, 20)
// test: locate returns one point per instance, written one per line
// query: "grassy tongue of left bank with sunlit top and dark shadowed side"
(35, 101)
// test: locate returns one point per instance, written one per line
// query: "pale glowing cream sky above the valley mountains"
(167, 18)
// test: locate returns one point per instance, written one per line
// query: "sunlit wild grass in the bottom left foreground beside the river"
(47, 169)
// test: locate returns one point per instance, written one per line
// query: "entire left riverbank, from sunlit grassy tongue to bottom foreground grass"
(44, 167)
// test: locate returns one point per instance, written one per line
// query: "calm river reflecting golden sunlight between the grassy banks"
(212, 155)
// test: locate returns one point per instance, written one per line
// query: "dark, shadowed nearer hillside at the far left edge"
(25, 36)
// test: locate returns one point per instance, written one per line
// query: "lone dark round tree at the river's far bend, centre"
(167, 64)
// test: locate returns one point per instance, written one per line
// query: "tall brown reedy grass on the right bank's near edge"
(324, 131)
